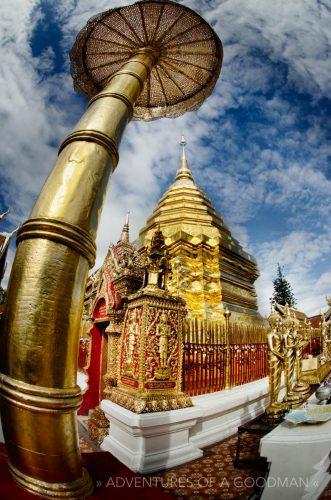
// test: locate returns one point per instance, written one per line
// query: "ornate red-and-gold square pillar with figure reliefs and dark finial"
(150, 359)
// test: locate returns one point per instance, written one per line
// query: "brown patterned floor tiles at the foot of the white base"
(213, 476)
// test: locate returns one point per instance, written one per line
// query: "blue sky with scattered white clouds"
(259, 146)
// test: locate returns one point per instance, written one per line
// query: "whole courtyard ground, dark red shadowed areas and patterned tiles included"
(214, 476)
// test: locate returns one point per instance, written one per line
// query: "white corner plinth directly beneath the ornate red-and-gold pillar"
(152, 441)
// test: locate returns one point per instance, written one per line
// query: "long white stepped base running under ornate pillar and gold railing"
(155, 441)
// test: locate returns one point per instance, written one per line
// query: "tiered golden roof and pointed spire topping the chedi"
(184, 208)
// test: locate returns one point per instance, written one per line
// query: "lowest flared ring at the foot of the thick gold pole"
(80, 488)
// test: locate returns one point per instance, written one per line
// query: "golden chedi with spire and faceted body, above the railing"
(210, 269)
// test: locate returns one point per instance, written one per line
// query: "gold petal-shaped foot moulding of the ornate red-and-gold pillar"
(151, 403)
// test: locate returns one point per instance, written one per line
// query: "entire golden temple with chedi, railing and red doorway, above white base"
(185, 264)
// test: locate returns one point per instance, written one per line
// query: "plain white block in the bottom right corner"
(300, 457)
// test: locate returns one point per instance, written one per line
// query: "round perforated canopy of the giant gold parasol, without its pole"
(189, 62)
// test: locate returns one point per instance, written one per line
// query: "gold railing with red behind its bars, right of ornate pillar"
(211, 363)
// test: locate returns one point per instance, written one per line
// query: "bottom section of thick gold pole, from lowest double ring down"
(43, 450)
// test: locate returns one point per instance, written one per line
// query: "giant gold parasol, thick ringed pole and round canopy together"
(146, 60)
